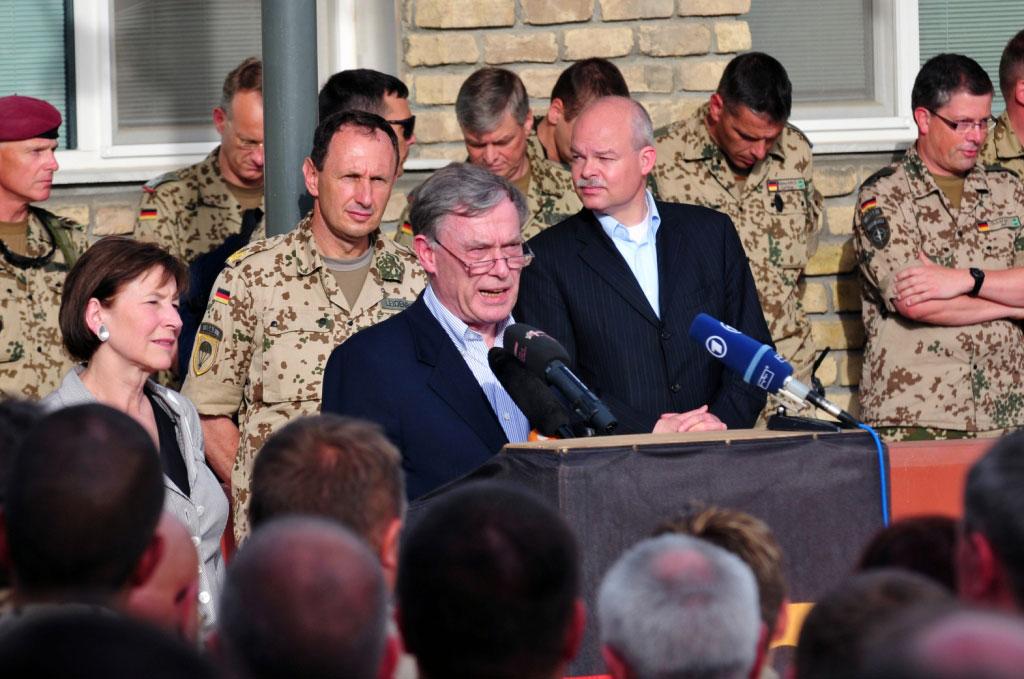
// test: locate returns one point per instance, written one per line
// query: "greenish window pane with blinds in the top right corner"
(979, 29)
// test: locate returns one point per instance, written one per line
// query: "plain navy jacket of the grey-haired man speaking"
(407, 375)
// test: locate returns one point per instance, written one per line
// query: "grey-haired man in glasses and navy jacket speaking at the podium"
(423, 375)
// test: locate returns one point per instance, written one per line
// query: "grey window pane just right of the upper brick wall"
(826, 47)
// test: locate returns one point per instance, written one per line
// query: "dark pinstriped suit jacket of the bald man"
(581, 291)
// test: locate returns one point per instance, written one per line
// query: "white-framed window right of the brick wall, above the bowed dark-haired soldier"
(852, 64)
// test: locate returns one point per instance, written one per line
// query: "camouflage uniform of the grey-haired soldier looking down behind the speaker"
(550, 199)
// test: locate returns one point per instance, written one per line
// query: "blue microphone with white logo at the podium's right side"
(759, 365)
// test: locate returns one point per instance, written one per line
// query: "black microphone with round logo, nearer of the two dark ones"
(545, 358)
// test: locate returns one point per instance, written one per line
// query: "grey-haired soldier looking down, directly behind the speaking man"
(494, 113)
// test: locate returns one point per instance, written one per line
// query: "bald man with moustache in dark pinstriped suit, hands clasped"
(620, 283)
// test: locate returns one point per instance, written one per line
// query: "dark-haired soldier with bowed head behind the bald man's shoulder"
(738, 155)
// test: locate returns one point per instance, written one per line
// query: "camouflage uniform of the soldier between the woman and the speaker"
(274, 318)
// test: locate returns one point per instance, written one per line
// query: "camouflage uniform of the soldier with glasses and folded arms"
(966, 378)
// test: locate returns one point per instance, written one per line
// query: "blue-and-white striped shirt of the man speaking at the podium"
(474, 351)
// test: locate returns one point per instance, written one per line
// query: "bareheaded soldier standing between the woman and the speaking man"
(282, 305)
